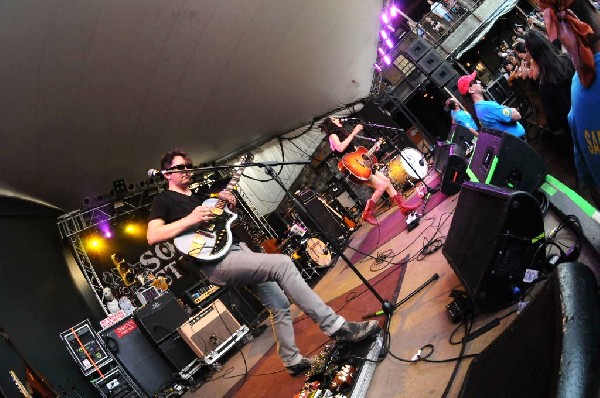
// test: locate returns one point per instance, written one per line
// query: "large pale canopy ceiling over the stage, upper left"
(94, 91)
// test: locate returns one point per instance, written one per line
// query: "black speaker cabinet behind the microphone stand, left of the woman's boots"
(319, 210)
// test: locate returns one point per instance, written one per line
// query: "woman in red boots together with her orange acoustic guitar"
(358, 164)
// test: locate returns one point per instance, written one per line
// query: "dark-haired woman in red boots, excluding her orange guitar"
(339, 141)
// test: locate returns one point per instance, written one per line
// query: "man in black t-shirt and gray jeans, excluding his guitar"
(273, 277)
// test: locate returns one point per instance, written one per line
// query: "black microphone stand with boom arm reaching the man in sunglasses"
(387, 307)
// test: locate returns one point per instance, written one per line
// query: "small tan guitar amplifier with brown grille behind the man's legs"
(205, 331)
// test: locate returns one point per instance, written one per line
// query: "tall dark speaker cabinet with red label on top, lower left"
(138, 356)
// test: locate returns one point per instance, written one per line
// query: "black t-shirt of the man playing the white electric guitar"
(171, 206)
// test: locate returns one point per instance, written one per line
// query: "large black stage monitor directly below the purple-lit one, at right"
(492, 241)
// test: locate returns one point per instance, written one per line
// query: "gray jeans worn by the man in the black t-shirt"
(275, 279)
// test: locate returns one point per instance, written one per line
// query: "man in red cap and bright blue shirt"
(490, 113)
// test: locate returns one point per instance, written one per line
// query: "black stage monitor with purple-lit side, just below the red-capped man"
(506, 161)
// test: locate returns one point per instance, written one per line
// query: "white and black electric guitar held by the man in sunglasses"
(210, 241)
